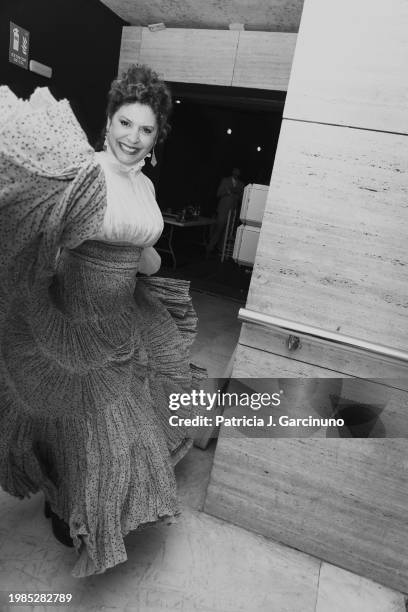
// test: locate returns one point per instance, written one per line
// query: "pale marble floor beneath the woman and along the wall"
(199, 564)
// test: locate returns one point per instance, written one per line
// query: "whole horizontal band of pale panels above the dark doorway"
(214, 57)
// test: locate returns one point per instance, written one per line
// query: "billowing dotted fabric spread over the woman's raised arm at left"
(52, 191)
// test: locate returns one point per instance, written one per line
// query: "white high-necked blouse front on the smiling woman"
(132, 215)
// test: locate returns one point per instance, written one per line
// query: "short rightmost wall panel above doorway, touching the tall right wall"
(264, 60)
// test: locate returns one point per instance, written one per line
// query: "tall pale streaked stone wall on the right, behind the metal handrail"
(333, 257)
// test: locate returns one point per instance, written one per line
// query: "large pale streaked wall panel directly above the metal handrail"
(333, 246)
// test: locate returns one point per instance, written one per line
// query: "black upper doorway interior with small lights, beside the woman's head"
(214, 129)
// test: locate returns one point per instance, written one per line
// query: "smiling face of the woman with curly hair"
(132, 132)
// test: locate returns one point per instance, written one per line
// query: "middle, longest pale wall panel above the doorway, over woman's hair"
(191, 56)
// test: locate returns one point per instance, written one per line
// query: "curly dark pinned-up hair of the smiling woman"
(141, 84)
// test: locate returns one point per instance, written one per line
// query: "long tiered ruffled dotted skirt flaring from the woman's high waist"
(91, 362)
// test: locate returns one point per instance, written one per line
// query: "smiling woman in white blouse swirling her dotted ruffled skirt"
(90, 350)
